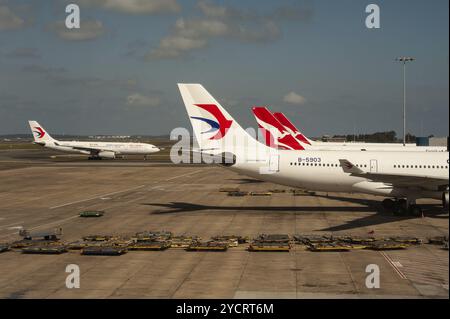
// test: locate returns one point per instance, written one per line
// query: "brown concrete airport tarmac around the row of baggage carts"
(40, 194)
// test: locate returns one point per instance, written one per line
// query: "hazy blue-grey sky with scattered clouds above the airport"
(119, 75)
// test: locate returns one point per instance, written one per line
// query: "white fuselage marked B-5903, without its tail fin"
(321, 170)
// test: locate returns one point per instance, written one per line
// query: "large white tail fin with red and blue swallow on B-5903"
(215, 130)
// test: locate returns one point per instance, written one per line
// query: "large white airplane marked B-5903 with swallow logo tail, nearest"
(404, 176)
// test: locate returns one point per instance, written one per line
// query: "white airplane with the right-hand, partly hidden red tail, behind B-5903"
(310, 144)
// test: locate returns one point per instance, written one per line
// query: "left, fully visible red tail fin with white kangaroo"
(269, 125)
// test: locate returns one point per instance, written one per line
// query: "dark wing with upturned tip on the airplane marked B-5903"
(397, 180)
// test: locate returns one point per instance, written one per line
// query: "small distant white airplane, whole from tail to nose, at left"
(96, 150)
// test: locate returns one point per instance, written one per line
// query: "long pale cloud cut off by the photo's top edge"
(135, 6)
